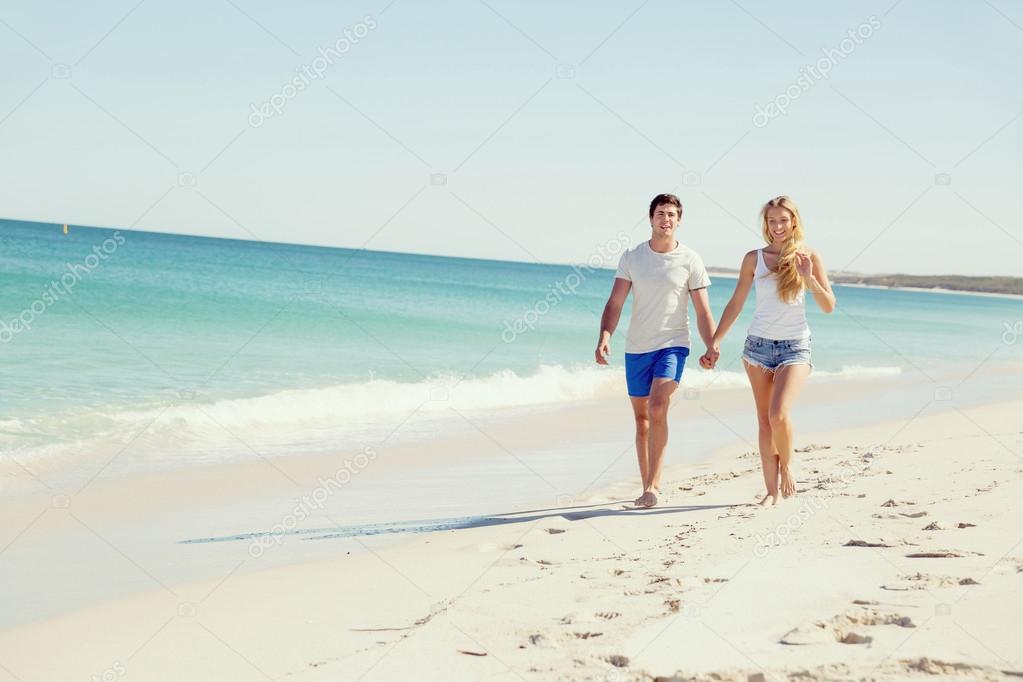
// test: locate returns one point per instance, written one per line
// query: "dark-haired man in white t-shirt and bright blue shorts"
(662, 276)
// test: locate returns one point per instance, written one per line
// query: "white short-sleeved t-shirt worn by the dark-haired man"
(661, 285)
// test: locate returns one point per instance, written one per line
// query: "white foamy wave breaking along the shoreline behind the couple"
(338, 417)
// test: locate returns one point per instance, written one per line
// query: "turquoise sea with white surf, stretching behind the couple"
(196, 349)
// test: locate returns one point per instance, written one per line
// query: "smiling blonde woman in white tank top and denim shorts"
(777, 355)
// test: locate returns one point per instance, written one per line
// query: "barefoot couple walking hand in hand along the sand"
(663, 275)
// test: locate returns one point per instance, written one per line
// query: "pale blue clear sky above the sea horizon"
(554, 123)
